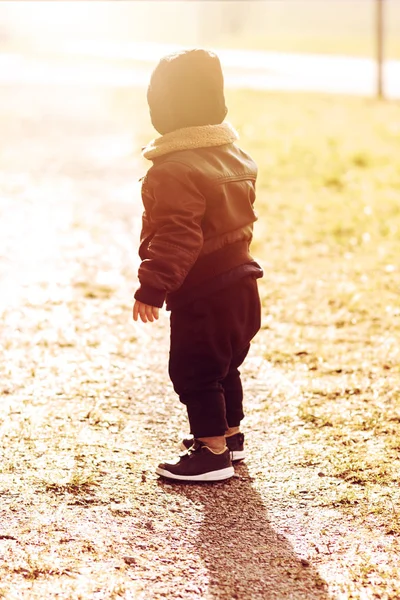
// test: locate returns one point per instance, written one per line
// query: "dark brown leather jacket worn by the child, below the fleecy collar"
(198, 220)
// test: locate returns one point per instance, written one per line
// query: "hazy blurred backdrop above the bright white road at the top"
(317, 26)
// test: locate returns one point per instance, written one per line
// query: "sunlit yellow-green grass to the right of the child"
(329, 238)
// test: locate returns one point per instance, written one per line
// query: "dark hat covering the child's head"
(186, 89)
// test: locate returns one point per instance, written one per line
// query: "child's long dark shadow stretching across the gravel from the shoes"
(245, 557)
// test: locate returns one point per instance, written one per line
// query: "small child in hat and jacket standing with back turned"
(198, 220)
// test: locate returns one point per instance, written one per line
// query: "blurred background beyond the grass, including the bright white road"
(297, 40)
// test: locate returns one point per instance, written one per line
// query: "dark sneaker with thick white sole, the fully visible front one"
(199, 463)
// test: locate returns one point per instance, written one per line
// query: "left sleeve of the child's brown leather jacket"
(176, 212)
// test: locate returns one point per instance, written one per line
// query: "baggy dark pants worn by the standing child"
(210, 338)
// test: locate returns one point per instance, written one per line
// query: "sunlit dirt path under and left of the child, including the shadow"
(87, 410)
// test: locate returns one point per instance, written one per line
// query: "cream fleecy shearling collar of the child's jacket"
(189, 138)
